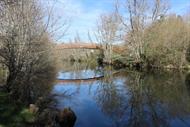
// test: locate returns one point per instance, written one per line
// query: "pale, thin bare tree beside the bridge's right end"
(108, 33)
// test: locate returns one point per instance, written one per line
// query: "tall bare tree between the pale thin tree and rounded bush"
(139, 15)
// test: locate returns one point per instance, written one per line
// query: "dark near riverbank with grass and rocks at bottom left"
(41, 114)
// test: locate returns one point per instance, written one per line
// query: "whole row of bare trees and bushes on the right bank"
(150, 36)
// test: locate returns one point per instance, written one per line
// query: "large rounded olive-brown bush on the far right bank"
(166, 43)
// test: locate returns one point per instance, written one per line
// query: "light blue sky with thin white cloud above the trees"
(84, 14)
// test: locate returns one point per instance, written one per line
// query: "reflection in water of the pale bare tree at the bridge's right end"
(111, 97)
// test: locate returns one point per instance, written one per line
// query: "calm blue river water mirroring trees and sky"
(124, 98)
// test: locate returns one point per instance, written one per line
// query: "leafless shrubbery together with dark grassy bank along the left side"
(27, 52)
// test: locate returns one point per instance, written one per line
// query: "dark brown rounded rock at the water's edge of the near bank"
(67, 118)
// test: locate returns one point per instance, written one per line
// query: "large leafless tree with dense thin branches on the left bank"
(25, 38)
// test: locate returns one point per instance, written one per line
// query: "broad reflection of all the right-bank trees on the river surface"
(146, 100)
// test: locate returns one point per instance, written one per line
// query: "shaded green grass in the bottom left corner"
(12, 115)
